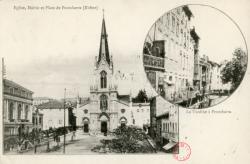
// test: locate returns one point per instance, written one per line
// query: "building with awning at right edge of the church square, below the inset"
(164, 128)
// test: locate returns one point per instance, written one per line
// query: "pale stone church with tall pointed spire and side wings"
(105, 109)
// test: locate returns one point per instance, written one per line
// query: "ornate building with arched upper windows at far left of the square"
(17, 111)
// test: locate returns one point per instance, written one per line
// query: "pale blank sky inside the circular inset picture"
(219, 35)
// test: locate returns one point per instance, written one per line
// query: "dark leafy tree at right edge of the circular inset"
(234, 70)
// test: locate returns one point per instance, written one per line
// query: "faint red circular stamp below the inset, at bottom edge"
(183, 152)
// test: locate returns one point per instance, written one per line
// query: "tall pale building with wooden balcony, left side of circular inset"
(169, 54)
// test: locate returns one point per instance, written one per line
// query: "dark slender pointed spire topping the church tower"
(104, 50)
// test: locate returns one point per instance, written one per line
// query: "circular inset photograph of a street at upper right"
(195, 56)
